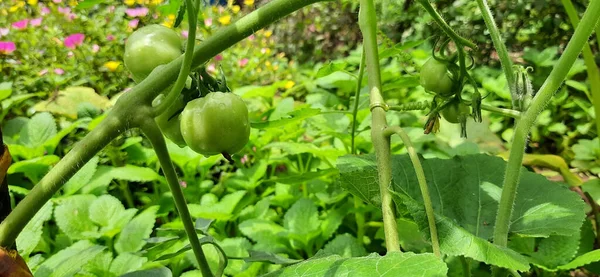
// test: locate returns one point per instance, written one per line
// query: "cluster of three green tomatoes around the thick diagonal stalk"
(214, 124)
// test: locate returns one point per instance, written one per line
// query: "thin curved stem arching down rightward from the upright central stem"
(414, 158)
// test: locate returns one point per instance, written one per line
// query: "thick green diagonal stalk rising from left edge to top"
(121, 117)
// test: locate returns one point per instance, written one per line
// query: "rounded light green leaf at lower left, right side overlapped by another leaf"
(72, 217)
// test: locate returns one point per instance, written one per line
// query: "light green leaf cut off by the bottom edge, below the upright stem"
(393, 264)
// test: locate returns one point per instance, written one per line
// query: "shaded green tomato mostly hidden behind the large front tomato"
(169, 121)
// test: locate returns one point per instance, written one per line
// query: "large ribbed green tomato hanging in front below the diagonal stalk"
(215, 124)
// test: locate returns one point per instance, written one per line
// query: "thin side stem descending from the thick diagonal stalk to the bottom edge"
(150, 129)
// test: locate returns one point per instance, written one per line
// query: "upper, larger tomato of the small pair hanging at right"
(436, 78)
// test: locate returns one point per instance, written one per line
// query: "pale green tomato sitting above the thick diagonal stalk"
(149, 47)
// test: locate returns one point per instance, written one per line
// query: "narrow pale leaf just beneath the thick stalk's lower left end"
(31, 235)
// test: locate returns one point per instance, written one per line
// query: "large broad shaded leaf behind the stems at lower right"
(465, 192)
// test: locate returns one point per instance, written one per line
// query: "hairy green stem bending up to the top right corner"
(544, 95)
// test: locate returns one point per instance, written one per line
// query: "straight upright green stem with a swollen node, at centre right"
(367, 20)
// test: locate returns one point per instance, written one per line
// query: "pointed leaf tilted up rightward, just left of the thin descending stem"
(132, 237)
